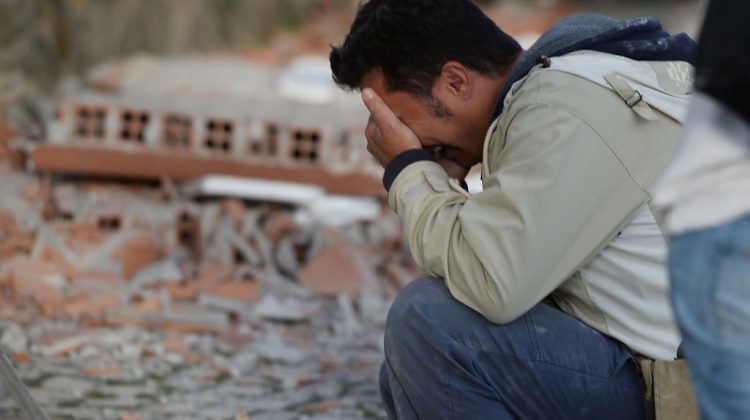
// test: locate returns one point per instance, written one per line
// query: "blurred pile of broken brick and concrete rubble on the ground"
(132, 302)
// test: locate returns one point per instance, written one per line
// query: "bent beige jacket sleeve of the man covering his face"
(554, 196)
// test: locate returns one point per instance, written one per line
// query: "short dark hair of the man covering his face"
(411, 40)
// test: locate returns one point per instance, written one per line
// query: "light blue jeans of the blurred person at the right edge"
(710, 273)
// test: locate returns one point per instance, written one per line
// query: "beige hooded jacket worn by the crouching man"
(567, 166)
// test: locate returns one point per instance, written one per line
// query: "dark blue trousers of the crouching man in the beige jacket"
(445, 361)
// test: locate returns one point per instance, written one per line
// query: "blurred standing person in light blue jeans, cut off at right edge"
(705, 195)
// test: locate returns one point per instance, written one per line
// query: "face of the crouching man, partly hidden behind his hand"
(449, 137)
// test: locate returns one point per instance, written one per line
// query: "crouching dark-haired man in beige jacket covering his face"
(545, 283)
